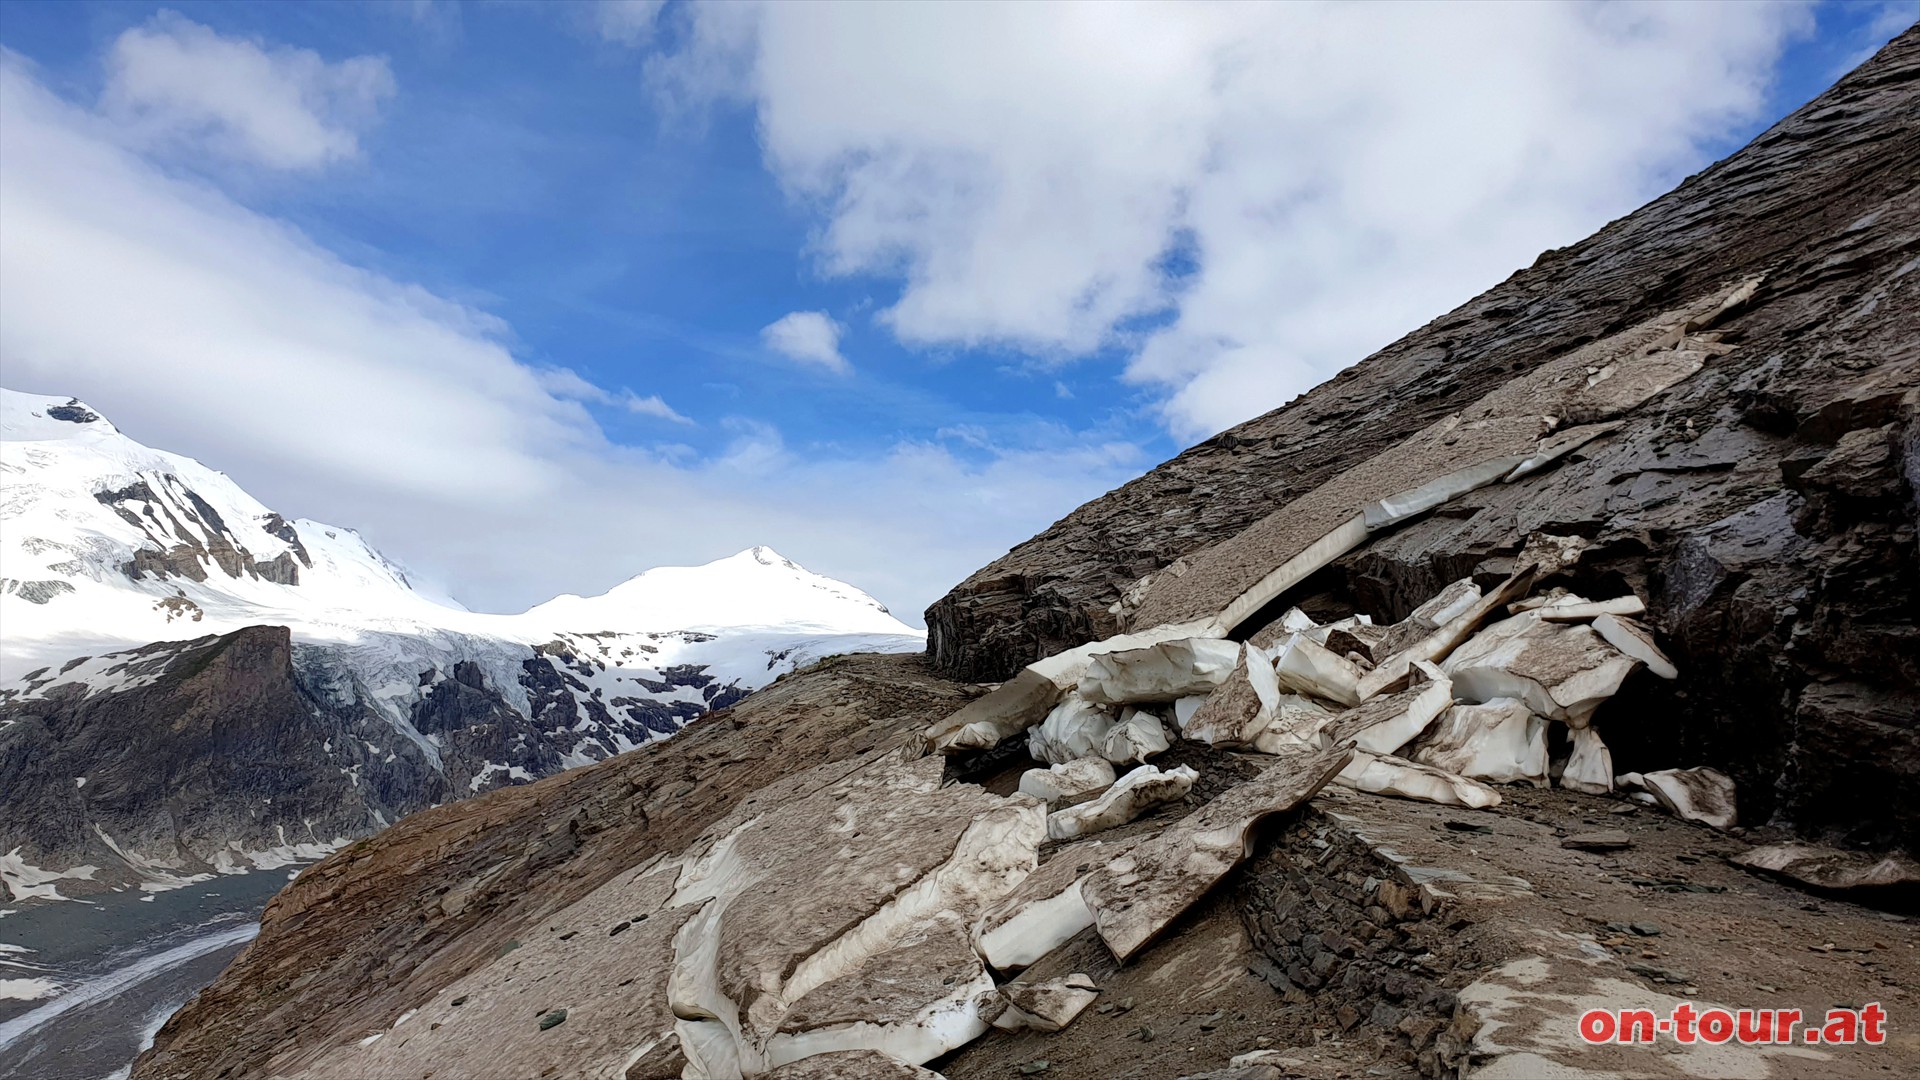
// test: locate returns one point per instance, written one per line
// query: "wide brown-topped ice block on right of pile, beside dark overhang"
(1564, 672)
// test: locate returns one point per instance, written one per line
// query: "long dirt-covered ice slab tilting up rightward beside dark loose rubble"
(1138, 895)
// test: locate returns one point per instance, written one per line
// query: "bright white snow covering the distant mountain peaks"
(103, 541)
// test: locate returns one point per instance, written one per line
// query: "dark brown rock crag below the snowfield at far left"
(210, 750)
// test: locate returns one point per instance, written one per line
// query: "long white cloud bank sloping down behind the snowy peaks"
(341, 395)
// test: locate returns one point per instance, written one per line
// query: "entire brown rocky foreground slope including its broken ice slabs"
(1524, 670)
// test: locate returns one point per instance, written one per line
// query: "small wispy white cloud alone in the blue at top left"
(176, 82)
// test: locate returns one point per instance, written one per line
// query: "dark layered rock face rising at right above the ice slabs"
(1765, 506)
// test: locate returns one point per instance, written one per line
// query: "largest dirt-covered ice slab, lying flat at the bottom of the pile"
(844, 889)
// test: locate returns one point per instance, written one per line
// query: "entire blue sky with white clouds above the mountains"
(510, 268)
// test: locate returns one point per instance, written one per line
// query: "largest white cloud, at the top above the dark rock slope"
(1274, 189)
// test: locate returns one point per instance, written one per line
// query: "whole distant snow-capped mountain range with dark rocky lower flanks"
(193, 683)
